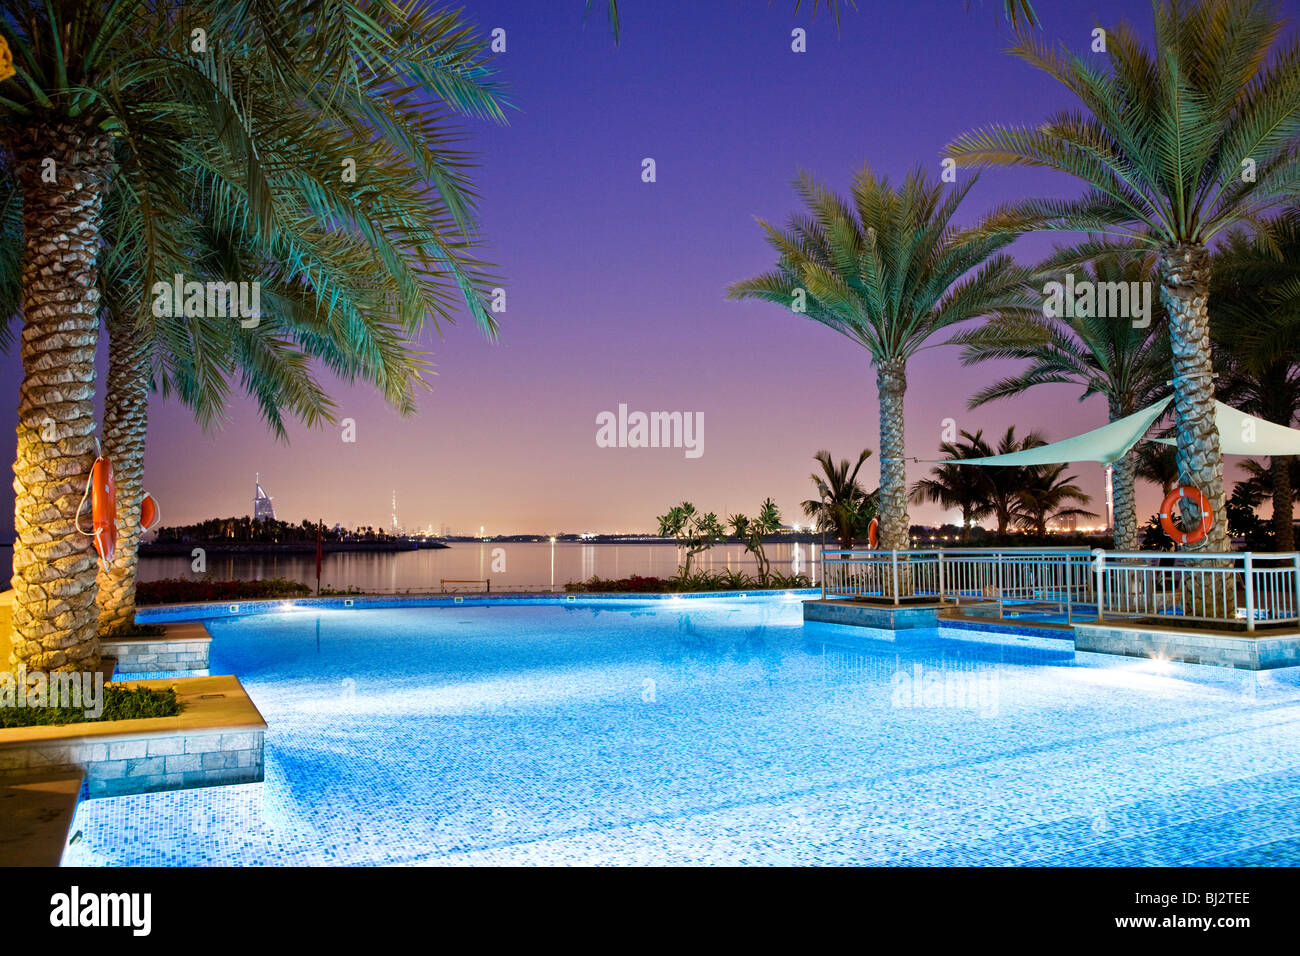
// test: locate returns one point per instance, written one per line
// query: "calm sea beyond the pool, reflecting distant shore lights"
(540, 566)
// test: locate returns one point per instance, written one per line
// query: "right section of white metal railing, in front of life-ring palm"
(1255, 589)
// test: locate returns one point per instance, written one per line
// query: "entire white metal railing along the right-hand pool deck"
(1251, 589)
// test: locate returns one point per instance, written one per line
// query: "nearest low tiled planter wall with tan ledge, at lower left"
(219, 739)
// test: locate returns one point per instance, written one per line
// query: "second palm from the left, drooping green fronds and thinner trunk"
(352, 302)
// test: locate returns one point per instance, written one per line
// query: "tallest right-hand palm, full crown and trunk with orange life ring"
(1176, 146)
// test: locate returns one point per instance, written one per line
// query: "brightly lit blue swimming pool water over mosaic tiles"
(720, 732)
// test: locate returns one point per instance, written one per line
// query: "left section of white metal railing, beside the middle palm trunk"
(1003, 576)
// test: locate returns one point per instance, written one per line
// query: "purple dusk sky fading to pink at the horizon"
(617, 287)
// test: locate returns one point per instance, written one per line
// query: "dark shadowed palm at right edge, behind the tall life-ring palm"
(1255, 327)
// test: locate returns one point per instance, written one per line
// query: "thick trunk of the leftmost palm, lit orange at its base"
(54, 565)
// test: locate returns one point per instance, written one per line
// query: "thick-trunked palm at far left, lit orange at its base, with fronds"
(109, 94)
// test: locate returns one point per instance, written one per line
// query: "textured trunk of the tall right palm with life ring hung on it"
(1185, 282)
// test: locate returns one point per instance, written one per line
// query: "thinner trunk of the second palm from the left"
(125, 419)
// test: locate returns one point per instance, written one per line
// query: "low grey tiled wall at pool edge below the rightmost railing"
(1220, 650)
